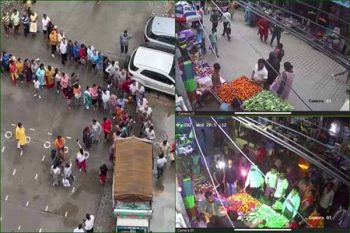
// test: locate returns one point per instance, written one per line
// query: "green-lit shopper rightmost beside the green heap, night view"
(291, 204)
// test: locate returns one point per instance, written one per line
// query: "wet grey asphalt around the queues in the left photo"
(29, 201)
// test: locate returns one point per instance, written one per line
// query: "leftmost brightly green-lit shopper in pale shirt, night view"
(254, 182)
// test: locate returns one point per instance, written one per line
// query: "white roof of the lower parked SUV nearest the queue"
(154, 59)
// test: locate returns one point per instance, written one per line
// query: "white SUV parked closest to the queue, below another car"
(154, 67)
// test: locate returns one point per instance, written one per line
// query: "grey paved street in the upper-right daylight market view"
(313, 70)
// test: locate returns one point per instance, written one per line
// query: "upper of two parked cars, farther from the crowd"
(161, 30)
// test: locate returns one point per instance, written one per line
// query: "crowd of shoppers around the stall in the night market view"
(276, 178)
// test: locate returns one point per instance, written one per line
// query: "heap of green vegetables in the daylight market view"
(267, 101)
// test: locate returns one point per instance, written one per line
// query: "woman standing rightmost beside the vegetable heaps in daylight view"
(283, 84)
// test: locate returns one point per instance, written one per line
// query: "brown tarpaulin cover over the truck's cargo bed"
(133, 170)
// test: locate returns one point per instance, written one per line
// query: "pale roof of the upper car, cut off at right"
(163, 26)
